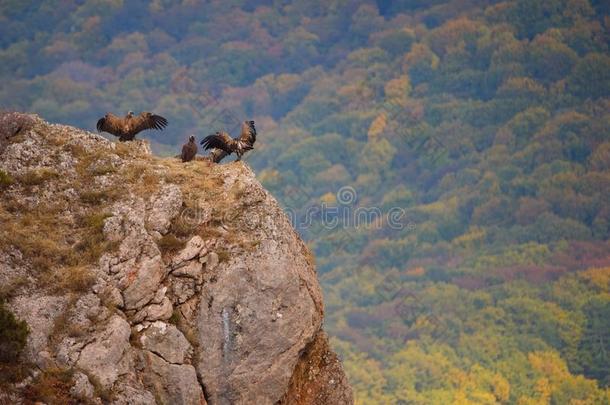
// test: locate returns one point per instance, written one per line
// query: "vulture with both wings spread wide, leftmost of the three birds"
(127, 128)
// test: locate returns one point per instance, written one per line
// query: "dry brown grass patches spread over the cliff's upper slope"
(63, 245)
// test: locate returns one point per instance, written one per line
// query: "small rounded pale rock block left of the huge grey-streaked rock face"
(166, 341)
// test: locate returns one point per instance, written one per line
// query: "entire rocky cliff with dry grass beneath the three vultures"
(146, 280)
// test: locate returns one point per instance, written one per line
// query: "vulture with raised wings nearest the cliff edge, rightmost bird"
(224, 145)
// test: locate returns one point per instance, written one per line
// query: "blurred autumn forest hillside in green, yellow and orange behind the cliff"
(448, 162)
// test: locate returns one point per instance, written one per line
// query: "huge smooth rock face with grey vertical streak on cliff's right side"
(247, 353)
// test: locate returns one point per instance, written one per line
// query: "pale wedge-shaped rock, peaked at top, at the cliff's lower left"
(108, 355)
